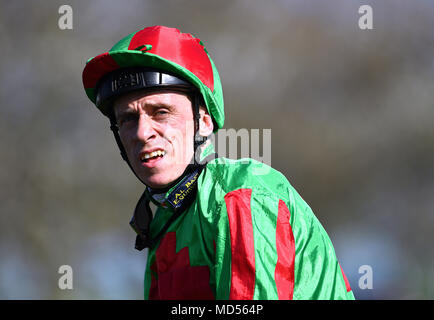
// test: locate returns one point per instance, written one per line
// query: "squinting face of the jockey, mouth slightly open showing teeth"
(157, 132)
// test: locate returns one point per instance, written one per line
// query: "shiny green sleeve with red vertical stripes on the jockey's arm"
(268, 244)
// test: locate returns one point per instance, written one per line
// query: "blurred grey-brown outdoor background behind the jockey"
(350, 111)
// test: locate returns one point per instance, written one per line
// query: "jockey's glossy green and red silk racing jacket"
(246, 236)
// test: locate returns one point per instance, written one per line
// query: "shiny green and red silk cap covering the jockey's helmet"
(166, 50)
